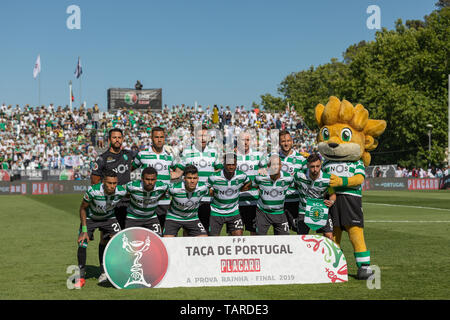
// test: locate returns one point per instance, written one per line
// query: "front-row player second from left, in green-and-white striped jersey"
(144, 195)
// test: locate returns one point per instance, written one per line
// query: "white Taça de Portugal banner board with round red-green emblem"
(138, 258)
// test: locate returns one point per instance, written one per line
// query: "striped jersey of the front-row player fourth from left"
(225, 201)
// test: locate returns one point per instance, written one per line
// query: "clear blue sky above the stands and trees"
(209, 51)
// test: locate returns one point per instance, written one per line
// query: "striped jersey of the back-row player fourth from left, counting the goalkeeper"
(250, 163)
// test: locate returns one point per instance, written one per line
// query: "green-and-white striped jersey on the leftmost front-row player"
(101, 205)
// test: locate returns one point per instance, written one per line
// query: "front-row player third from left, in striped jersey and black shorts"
(183, 210)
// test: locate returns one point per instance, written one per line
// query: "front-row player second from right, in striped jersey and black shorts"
(272, 194)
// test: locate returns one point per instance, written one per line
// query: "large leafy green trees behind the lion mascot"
(401, 76)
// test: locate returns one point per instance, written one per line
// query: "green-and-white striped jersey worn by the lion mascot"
(345, 169)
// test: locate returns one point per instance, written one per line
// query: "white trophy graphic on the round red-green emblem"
(137, 248)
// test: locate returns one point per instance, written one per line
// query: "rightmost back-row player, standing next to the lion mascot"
(292, 161)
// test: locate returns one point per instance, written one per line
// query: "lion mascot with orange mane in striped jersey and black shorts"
(345, 138)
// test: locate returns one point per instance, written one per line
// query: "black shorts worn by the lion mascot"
(347, 211)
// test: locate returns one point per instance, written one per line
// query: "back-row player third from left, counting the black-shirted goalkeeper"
(204, 158)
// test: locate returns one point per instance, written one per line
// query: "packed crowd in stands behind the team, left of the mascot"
(50, 137)
